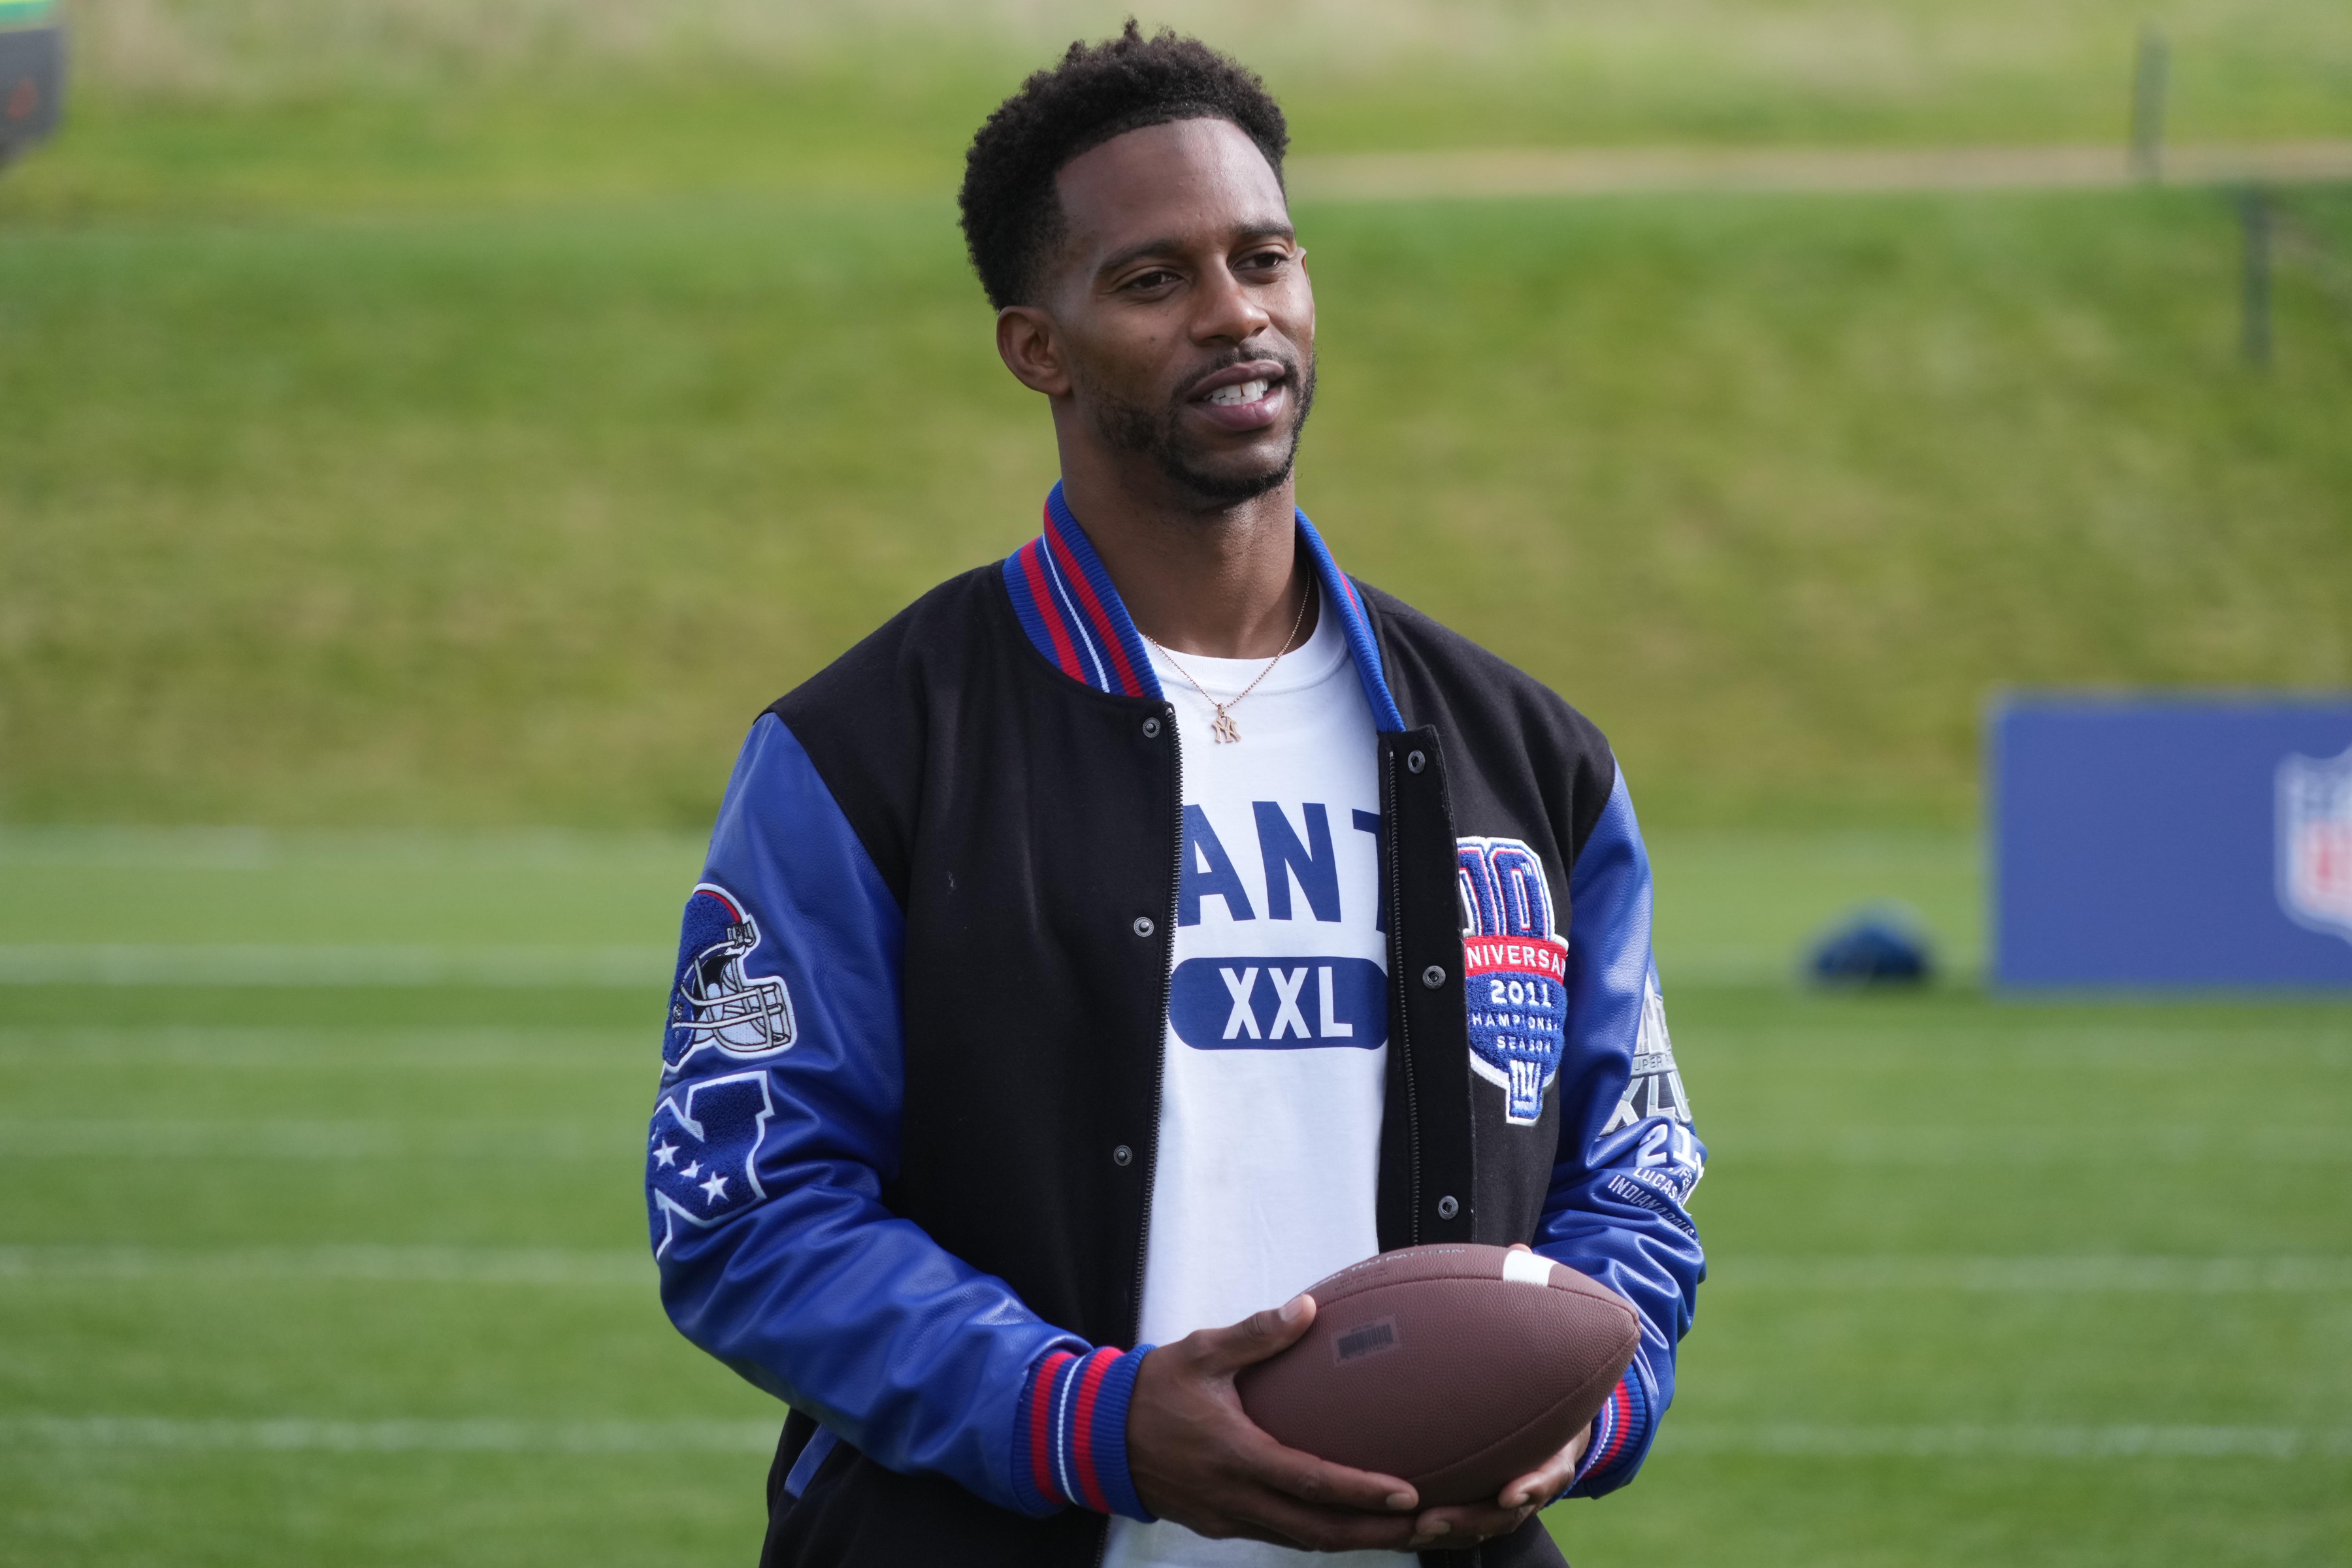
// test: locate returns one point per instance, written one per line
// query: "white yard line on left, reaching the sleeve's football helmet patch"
(639, 967)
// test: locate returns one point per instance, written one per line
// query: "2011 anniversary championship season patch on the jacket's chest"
(1516, 972)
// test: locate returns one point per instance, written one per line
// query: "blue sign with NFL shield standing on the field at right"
(2149, 840)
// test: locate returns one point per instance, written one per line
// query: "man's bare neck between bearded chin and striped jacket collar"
(1222, 582)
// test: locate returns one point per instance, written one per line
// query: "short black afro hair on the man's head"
(1013, 215)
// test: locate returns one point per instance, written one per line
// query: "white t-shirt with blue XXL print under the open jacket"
(1278, 1024)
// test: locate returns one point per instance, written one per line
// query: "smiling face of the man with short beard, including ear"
(1180, 323)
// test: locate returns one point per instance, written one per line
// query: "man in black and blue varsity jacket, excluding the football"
(1090, 960)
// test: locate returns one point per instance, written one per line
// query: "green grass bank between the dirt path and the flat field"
(519, 518)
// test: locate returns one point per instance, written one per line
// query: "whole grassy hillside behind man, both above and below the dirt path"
(425, 422)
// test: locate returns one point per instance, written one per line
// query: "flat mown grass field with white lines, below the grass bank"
(354, 1273)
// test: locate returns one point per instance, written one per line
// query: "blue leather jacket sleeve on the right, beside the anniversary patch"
(1626, 1158)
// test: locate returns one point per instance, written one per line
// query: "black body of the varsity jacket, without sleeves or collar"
(1031, 831)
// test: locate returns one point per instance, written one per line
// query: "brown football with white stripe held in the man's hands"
(1450, 1367)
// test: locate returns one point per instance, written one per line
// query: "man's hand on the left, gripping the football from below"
(1201, 1461)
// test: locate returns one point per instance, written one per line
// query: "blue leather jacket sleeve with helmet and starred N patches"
(777, 1130)
